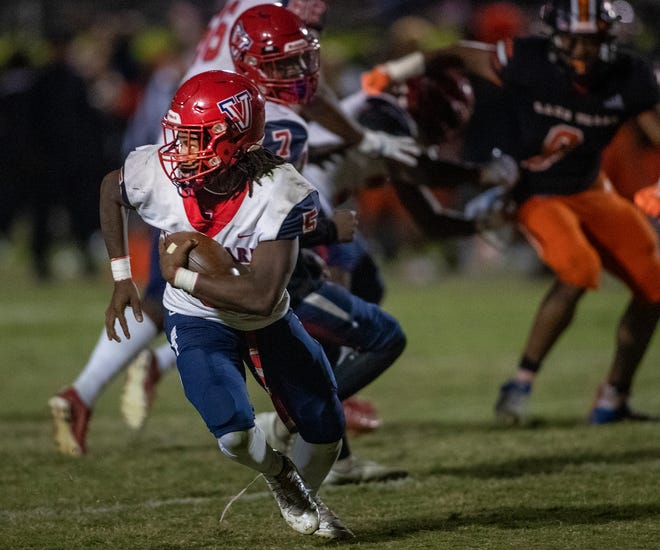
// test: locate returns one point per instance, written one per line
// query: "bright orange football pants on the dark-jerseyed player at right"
(579, 235)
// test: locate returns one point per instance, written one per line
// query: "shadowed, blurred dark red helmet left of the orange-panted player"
(441, 103)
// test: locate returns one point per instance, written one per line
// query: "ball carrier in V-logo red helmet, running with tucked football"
(212, 175)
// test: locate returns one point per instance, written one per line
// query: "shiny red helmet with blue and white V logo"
(214, 118)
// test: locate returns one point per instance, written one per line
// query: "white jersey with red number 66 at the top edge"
(213, 50)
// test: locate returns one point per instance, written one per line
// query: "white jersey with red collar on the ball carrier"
(282, 205)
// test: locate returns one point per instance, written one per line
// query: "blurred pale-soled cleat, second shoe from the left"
(142, 376)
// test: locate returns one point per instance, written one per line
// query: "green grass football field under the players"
(554, 484)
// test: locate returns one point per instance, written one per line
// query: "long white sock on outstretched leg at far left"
(109, 357)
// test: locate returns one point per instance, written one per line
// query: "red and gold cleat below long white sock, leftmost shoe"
(70, 419)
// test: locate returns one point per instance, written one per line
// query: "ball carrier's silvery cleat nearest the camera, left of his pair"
(294, 499)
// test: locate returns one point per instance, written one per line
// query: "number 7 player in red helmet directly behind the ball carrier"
(287, 77)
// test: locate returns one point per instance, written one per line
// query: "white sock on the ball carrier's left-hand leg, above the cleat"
(250, 449)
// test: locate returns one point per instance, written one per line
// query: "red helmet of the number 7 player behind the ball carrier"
(271, 45)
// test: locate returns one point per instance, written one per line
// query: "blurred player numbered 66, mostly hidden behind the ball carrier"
(108, 358)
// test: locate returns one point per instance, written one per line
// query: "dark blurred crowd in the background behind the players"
(73, 73)
